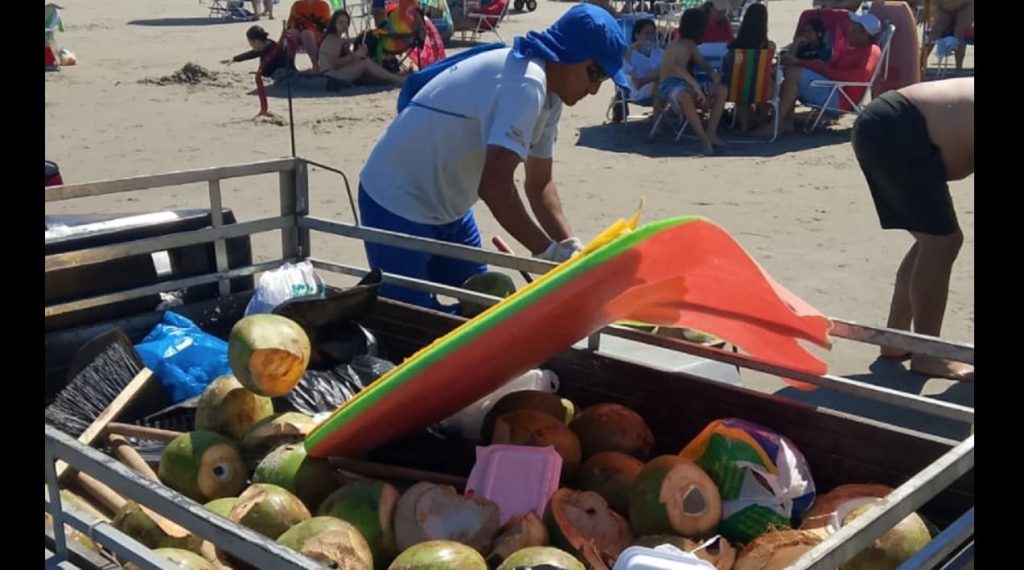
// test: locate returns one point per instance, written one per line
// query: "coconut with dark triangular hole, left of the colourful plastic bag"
(672, 496)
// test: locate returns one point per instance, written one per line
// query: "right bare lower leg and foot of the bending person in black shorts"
(929, 293)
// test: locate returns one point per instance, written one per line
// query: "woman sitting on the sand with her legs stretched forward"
(339, 62)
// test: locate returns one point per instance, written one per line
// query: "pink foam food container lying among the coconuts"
(518, 478)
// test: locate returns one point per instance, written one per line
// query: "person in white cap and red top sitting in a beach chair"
(856, 64)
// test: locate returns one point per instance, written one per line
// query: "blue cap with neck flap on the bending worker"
(584, 32)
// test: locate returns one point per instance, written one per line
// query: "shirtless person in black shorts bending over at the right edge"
(910, 144)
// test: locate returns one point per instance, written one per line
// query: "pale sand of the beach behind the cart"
(800, 206)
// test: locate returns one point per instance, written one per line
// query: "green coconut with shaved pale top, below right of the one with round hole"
(270, 510)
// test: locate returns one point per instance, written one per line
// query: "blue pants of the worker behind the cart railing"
(416, 265)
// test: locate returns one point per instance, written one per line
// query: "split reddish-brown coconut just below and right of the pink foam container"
(582, 523)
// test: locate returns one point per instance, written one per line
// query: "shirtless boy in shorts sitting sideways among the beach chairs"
(677, 80)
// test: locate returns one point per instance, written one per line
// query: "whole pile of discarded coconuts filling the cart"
(613, 493)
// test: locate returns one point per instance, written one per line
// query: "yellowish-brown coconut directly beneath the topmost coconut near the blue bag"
(227, 408)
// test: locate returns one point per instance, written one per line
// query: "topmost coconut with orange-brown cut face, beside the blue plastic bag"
(269, 354)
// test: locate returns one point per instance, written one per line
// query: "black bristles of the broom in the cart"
(93, 389)
